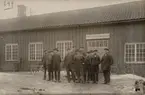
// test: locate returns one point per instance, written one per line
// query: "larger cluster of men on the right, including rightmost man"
(84, 67)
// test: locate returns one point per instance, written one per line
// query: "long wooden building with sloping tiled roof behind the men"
(119, 27)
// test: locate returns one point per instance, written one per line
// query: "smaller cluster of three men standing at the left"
(51, 63)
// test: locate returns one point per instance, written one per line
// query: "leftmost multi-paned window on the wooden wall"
(11, 52)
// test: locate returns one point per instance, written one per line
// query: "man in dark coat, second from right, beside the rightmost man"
(95, 61)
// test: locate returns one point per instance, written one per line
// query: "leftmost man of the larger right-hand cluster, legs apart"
(68, 61)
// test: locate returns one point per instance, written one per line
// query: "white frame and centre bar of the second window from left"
(35, 51)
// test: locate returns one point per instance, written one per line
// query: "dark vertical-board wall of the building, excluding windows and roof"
(119, 35)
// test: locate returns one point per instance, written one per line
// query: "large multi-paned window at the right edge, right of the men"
(135, 52)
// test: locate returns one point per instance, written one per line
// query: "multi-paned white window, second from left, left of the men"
(35, 51)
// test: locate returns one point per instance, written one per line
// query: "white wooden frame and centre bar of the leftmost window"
(11, 44)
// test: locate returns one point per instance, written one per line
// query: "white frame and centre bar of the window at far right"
(133, 62)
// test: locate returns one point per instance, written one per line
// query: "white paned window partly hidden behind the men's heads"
(63, 46)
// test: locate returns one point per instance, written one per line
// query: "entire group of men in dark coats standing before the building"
(80, 66)
